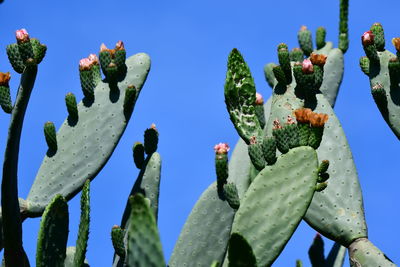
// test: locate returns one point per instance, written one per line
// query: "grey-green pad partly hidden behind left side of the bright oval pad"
(205, 235)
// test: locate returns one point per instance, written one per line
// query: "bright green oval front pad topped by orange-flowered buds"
(275, 203)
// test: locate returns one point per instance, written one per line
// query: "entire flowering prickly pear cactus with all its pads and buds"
(292, 163)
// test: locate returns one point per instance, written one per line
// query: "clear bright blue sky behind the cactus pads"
(189, 42)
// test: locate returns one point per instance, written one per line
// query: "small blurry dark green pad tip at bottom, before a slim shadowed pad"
(144, 246)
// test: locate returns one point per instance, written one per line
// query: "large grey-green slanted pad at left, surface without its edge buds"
(85, 147)
